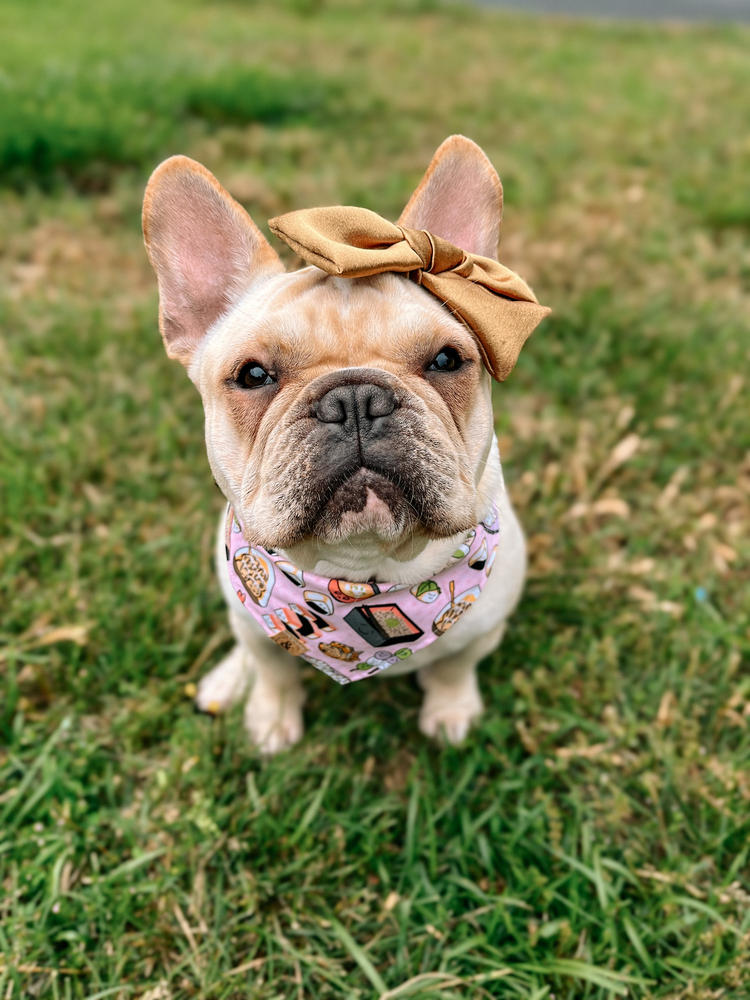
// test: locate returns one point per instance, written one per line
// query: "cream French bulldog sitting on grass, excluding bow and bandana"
(348, 423)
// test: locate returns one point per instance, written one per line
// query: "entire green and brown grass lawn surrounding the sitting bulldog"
(592, 838)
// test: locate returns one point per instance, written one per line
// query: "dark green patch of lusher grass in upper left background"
(53, 132)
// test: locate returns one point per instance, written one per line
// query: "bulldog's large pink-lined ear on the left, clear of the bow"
(204, 247)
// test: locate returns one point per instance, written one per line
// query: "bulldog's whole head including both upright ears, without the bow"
(334, 406)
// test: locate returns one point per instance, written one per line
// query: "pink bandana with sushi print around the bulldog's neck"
(354, 630)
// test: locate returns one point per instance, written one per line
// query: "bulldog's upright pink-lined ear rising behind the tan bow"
(459, 198)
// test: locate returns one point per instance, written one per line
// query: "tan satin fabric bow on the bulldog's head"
(497, 306)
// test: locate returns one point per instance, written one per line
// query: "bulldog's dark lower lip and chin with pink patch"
(365, 503)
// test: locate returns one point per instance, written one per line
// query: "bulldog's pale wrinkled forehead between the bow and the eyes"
(318, 319)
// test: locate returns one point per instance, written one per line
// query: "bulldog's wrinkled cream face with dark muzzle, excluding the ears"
(327, 412)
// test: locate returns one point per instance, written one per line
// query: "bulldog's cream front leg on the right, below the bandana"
(452, 700)
